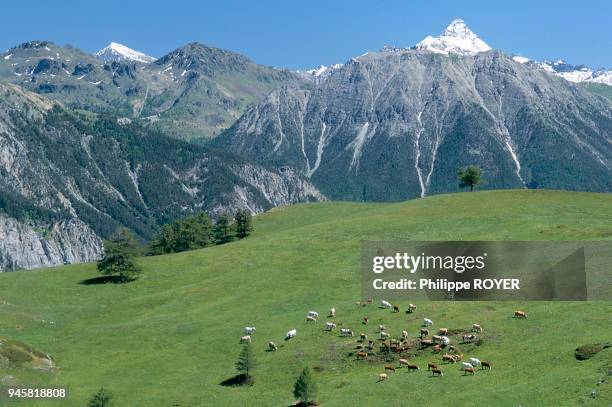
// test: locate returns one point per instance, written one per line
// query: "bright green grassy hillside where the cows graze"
(171, 337)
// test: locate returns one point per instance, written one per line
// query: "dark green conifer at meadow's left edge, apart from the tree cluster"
(119, 253)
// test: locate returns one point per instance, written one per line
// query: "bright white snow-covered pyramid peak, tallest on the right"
(457, 38)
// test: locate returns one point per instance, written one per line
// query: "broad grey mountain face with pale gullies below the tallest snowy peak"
(399, 123)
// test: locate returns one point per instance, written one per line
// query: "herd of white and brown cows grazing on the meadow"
(387, 344)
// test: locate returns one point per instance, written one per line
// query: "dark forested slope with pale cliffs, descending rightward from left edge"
(67, 179)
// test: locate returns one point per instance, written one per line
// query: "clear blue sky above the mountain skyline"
(308, 33)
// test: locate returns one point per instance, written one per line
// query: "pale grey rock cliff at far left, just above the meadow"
(24, 245)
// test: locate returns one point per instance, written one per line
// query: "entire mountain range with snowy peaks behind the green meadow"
(89, 143)
